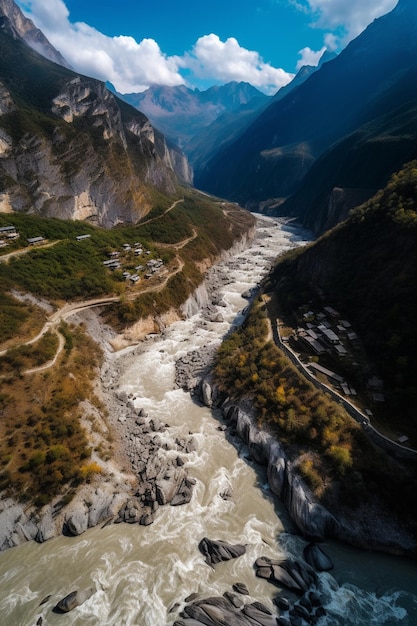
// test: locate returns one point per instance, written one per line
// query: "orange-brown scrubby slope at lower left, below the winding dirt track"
(43, 446)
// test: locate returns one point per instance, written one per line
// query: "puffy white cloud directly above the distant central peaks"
(227, 61)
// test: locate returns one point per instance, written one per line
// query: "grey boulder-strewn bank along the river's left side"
(145, 468)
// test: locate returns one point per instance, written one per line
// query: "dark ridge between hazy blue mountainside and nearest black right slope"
(353, 169)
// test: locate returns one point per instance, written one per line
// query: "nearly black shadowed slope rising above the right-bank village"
(366, 268)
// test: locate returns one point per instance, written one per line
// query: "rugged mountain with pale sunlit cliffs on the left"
(71, 149)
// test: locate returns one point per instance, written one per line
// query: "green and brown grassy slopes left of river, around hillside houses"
(42, 445)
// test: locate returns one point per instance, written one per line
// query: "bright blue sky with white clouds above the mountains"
(136, 43)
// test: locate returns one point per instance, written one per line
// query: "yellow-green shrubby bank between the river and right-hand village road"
(340, 464)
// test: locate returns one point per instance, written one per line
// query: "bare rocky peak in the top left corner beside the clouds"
(24, 28)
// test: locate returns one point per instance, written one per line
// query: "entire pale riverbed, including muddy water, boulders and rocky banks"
(168, 449)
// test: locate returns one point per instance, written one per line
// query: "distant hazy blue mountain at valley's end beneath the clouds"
(181, 113)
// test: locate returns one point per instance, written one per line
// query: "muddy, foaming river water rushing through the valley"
(140, 573)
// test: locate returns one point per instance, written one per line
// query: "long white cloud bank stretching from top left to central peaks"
(133, 66)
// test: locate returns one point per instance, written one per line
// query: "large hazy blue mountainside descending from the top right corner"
(267, 163)
